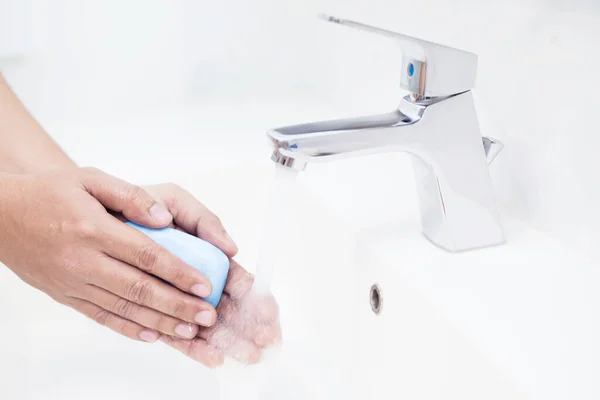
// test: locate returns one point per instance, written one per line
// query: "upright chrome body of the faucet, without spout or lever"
(456, 195)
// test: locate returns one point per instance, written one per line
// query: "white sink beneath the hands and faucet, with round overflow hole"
(516, 321)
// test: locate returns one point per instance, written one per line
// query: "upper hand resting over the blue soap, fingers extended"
(57, 235)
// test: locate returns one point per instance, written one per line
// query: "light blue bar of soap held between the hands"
(200, 254)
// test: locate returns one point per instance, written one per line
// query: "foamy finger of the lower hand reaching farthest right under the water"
(247, 325)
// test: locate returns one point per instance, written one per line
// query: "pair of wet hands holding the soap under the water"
(61, 233)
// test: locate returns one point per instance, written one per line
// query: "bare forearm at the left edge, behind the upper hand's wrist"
(24, 145)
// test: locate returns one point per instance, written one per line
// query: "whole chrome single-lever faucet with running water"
(437, 123)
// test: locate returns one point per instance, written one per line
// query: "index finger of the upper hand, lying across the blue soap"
(126, 243)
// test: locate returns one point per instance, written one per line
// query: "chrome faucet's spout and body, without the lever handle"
(457, 201)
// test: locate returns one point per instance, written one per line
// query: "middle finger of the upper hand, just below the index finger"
(134, 285)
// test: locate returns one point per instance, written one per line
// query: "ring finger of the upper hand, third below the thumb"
(142, 315)
